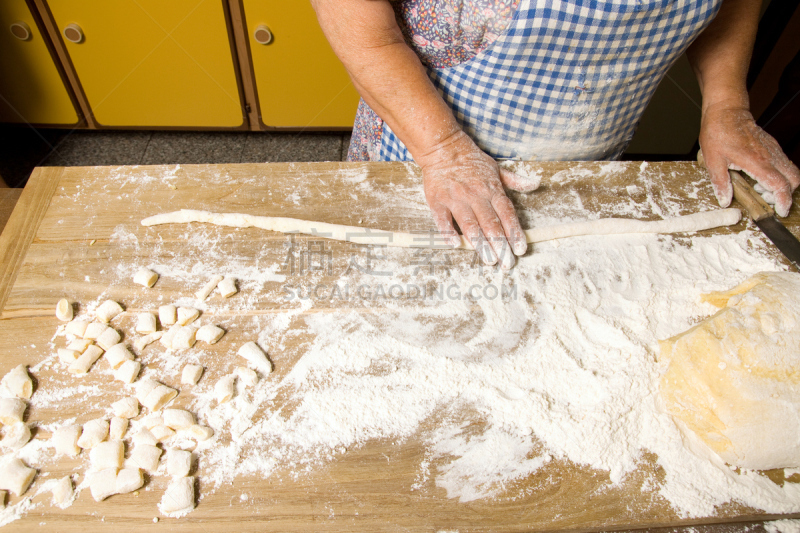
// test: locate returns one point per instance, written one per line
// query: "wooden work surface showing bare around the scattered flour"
(73, 228)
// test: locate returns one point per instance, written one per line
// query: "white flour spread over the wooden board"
(562, 371)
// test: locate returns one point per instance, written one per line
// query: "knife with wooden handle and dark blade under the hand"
(764, 217)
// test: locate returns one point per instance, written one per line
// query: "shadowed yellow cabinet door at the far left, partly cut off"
(31, 88)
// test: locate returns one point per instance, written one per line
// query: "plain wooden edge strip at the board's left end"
(23, 224)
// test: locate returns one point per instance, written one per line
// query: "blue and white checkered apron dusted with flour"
(568, 80)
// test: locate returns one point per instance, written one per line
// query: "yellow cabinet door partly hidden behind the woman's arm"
(299, 81)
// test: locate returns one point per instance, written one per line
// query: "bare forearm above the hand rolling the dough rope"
(386, 72)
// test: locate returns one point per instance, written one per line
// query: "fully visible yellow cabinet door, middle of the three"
(153, 62)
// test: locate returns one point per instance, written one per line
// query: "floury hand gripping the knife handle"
(730, 139)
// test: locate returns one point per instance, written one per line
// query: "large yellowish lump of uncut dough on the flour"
(733, 380)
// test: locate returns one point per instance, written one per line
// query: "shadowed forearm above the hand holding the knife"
(720, 56)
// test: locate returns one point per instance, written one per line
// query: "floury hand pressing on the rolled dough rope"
(464, 183)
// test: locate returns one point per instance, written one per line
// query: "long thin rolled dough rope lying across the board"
(354, 234)
